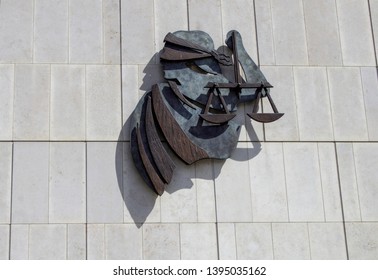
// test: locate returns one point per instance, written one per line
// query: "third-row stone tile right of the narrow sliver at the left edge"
(30, 182)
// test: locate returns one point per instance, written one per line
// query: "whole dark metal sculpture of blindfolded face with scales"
(194, 110)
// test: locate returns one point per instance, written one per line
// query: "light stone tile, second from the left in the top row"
(51, 31)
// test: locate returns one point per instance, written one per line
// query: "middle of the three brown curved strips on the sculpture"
(161, 158)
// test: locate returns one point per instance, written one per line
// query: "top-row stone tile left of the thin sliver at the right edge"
(355, 33)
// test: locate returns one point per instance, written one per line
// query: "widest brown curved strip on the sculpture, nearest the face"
(176, 137)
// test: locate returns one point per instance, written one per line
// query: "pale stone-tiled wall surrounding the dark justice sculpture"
(304, 187)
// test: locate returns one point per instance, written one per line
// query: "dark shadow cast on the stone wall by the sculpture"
(139, 199)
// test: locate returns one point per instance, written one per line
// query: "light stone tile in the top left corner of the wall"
(16, 31)
